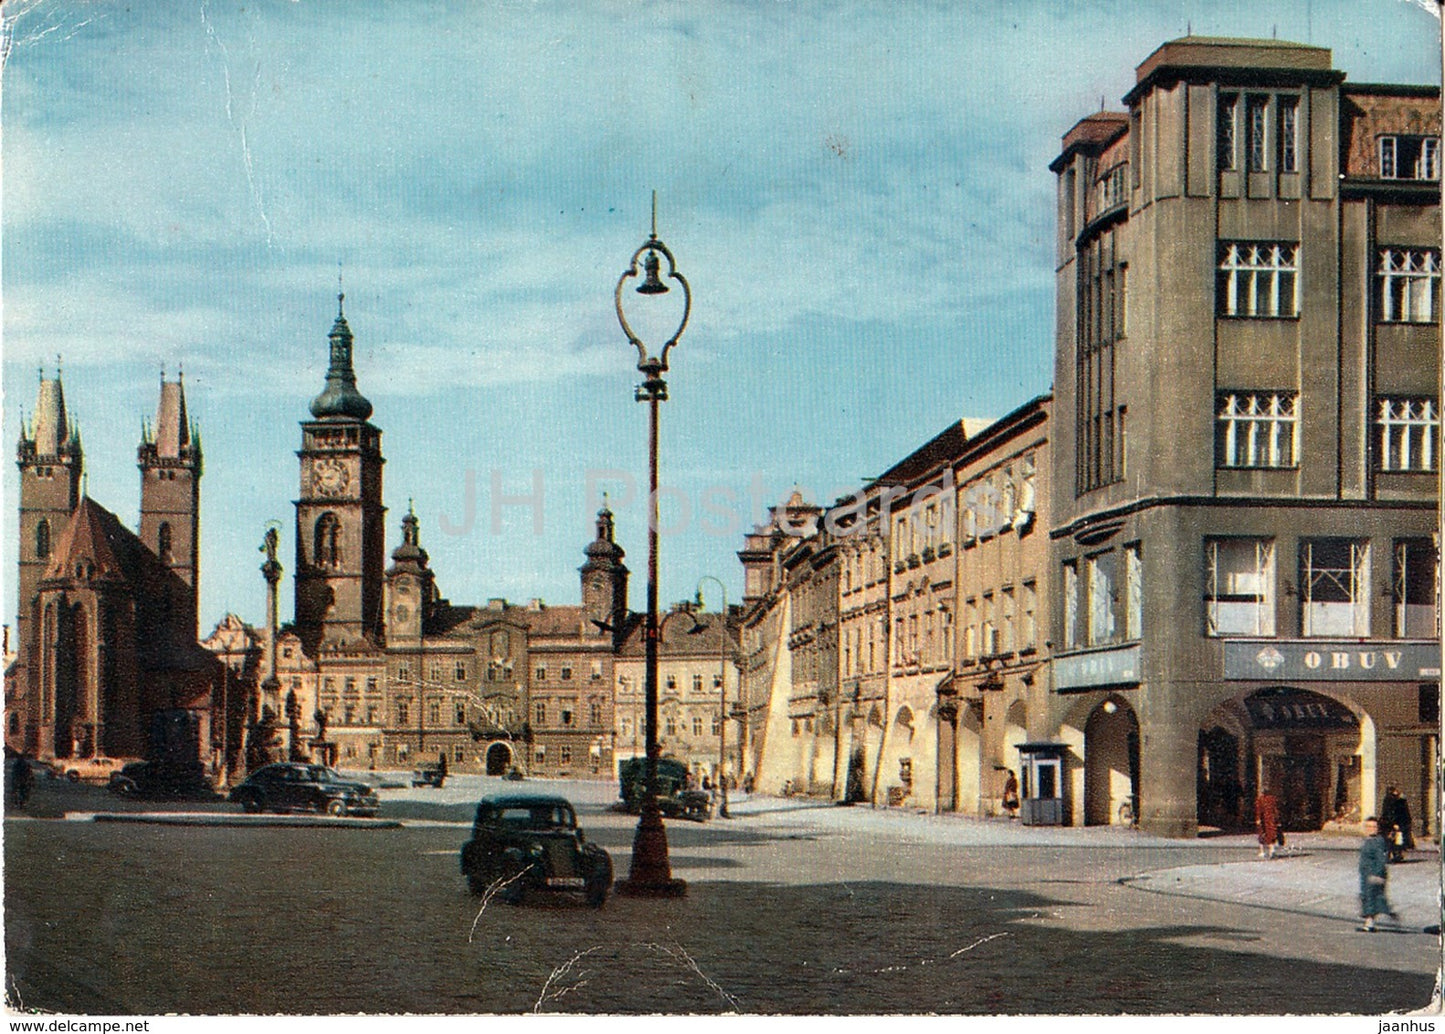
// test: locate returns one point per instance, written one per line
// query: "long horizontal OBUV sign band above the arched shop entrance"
(1326, 661)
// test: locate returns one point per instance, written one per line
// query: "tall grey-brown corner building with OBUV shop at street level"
(1246, 443)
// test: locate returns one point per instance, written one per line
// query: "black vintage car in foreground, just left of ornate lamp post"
(527, 843)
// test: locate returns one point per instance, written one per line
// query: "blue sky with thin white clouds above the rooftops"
(858, 194)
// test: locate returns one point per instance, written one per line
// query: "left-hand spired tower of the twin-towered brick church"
(51, 467)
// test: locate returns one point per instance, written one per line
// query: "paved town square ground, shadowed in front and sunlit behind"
(793, 908)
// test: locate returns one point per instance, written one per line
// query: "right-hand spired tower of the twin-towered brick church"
(170, 460)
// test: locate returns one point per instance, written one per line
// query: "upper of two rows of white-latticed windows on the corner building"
(1261, 279)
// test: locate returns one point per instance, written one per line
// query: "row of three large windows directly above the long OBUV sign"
(1334, 587)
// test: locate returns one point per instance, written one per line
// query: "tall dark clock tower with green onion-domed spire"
(340, 519)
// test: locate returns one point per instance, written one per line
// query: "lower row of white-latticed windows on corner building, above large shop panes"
(1261, 430)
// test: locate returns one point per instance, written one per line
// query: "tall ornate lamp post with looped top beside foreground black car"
(651, 873)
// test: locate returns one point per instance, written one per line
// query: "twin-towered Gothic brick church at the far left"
(108, 655)
